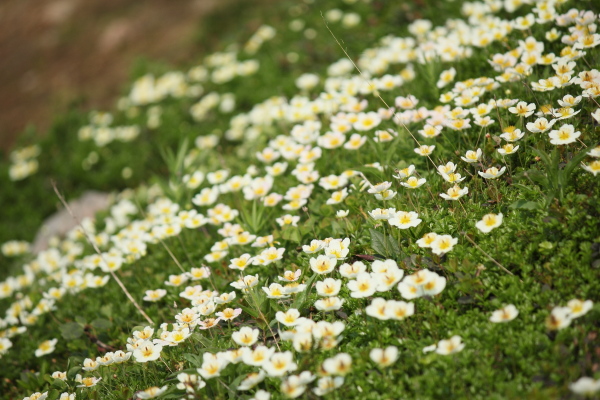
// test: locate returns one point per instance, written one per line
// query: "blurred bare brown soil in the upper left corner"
(55, 51)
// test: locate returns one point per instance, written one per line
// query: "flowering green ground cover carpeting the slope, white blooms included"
(363, 200)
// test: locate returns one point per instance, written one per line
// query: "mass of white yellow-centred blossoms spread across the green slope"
(244, 264)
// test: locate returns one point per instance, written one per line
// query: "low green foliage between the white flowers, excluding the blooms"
(549, 241)
